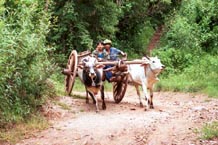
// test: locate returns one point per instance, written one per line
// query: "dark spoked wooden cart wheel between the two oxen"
(119, 89)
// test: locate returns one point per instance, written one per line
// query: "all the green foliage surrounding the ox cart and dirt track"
(32, 32)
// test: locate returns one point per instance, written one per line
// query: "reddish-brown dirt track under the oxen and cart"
(174, 121)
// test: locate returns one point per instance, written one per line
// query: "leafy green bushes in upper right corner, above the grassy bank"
(194, 27)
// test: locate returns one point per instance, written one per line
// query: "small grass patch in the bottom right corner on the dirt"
(210, 130)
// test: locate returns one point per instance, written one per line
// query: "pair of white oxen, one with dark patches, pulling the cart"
(144, 75)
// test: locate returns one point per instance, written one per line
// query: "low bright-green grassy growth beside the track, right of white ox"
(199, 76)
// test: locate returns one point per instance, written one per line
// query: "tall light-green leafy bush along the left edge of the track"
(24, 64)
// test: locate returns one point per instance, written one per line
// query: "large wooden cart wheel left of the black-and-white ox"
(72, 68)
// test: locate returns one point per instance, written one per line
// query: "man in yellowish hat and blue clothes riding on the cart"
(112, 55)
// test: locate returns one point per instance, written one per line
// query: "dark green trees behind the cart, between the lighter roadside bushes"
(130, 24)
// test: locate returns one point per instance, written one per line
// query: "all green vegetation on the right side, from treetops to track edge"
(189, 49)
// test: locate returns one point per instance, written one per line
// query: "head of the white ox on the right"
(154, 63)
